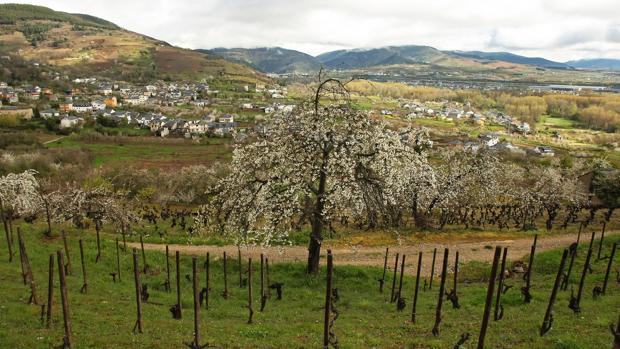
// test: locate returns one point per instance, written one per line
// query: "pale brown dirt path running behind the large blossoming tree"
(374, 256)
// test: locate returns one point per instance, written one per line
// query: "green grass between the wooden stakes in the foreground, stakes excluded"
(105, 316)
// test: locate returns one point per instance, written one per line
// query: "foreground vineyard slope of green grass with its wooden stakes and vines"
(102, 295)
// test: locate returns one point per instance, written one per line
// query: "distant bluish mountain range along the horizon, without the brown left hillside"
(281, 60)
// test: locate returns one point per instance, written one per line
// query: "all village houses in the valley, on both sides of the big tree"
(193, 110)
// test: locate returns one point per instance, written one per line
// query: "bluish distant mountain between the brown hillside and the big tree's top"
(270, 59)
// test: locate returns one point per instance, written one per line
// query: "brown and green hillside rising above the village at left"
(83, 44)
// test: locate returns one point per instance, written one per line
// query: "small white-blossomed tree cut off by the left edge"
(19, 195)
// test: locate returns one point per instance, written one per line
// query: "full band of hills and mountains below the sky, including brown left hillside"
(84, 44)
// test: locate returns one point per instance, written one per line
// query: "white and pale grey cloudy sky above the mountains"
(555, 29)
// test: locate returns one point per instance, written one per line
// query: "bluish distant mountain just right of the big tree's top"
(364, 58)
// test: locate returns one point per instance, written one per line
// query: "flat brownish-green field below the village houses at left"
(149, 152)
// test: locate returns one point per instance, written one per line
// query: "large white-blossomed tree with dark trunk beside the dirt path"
(327, 160)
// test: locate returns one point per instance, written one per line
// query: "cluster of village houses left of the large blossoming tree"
(153, 107)
